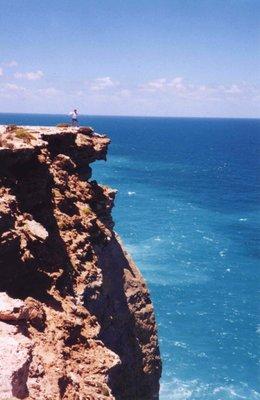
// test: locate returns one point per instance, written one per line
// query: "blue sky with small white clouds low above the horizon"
(197, 58)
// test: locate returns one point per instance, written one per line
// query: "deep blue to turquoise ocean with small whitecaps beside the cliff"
(188, 211)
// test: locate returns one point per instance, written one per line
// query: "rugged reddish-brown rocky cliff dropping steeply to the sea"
(76, 320)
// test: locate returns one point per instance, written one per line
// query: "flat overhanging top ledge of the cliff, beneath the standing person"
(19, 144)
